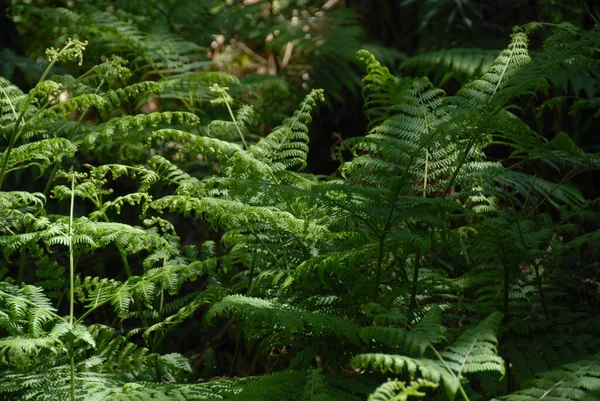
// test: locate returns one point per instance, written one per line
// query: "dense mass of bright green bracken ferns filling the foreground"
(423, 270)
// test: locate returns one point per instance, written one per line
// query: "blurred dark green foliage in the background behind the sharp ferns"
(272, 52)
